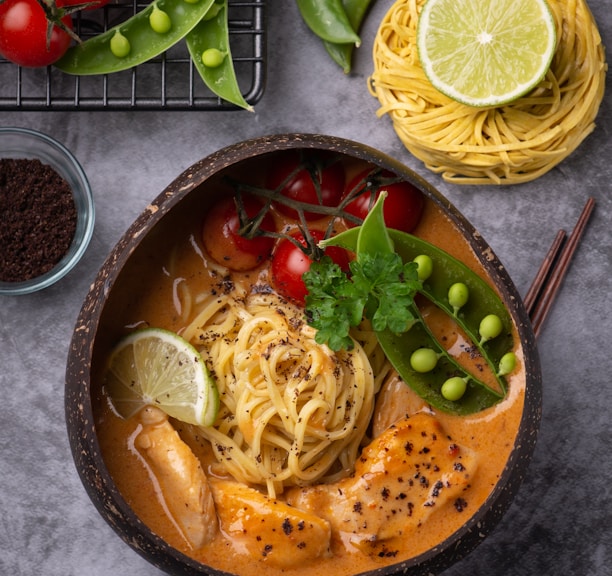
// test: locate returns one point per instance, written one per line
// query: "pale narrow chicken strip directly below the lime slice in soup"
(183, 486)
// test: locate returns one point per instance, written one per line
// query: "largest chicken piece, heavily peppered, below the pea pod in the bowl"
(401, 478)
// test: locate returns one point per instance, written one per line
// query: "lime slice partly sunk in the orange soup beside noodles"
(158, 367)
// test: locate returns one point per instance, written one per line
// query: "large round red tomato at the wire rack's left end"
(23, 34)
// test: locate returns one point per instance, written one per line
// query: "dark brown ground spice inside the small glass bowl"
(37, 218)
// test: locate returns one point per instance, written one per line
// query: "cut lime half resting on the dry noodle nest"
(485, 52)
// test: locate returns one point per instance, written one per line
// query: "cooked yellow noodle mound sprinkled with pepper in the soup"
(292, 411)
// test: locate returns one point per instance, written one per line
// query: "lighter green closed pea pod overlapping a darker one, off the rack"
(328, 20)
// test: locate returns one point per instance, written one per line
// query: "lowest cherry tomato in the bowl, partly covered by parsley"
(289, 263)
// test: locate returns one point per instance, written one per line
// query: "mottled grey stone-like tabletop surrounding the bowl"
(561, 521)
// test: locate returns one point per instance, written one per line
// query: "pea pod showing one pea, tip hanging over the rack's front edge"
(209, 47)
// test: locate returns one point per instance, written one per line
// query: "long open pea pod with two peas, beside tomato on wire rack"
(136, 40)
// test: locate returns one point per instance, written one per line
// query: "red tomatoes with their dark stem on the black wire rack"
(24, 25)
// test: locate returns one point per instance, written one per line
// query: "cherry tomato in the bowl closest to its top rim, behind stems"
(317, 179)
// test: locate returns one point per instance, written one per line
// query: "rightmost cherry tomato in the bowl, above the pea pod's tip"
(403, 206)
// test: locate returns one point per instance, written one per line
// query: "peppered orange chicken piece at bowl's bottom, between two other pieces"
(268, 529)
